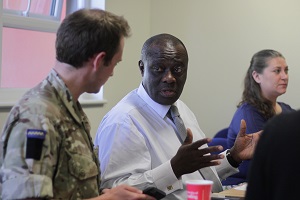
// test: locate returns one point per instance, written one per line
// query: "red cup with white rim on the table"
(198, 189)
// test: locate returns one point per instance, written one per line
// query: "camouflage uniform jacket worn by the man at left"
(47, 148)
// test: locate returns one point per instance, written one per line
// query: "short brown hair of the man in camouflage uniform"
(87, 32)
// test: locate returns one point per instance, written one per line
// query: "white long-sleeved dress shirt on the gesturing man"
(137, 141)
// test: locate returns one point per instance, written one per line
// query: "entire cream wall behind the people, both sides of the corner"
(221, 36)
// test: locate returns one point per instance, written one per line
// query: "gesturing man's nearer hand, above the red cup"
(191, 157)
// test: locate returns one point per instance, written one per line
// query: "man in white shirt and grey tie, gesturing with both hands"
(140, 145)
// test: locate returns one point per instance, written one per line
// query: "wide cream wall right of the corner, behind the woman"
(221, 37)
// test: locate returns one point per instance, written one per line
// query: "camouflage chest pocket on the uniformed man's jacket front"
(82, 167)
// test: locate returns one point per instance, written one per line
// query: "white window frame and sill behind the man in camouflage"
(10, 96)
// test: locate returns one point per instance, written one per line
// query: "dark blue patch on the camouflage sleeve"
(34, 146)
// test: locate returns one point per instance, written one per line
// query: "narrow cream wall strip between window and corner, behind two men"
(126, 74)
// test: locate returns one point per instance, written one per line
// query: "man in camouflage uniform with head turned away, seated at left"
(46, 147)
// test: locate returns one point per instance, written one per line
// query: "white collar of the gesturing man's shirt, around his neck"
(161, 110)
